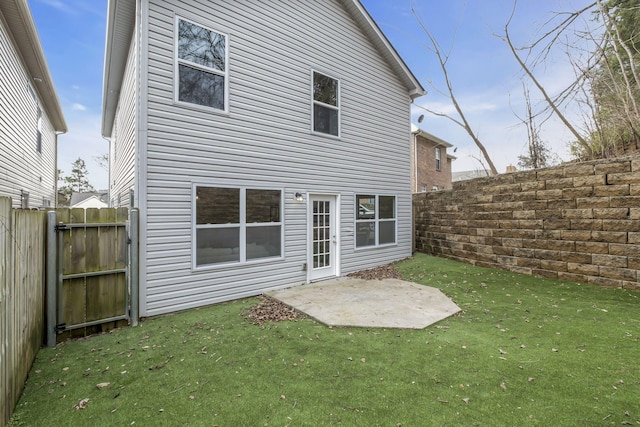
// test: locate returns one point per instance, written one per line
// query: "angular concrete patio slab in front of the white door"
(387, 303)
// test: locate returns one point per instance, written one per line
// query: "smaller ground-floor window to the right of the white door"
(376, 222)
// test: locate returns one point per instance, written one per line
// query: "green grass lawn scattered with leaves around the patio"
(524, 351)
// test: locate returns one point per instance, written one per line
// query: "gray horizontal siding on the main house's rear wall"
(265, 140)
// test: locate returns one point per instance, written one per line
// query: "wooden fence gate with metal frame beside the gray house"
(92, 271)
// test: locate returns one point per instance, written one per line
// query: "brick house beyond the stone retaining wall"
(430, 163)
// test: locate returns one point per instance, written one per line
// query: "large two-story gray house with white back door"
(266, 144)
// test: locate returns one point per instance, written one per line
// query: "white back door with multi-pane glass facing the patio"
(322, 237)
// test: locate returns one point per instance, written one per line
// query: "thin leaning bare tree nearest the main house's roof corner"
(461, 121)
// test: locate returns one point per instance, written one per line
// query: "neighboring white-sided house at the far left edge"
(30, 114)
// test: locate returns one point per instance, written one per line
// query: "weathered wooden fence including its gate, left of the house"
(72, 277)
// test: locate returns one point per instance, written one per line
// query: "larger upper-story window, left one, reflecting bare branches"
(201, 65)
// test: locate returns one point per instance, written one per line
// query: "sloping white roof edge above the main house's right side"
(369, 26)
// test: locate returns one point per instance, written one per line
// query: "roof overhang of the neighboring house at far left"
(25, 35)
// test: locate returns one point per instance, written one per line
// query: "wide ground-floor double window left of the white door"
(235, 225)
